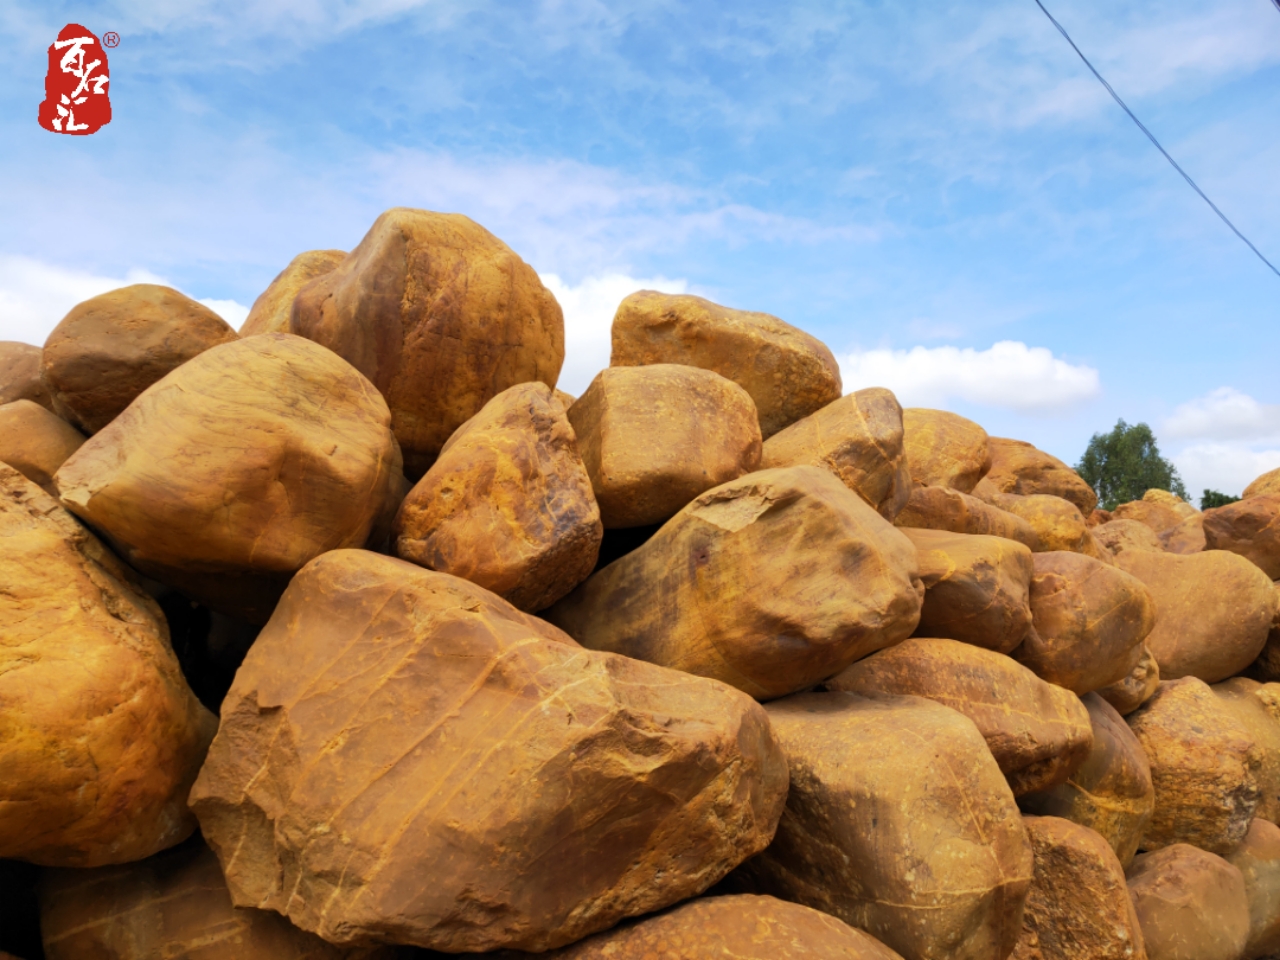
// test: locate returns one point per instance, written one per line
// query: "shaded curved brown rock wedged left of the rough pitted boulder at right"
(1112, 792)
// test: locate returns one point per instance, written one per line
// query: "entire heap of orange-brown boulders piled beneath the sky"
(715, 661)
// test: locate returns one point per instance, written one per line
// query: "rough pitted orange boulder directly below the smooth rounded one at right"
(1205, 767)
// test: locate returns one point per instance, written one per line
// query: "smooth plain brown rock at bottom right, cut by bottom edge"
(1192, 906)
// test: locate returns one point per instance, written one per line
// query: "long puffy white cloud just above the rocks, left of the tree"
(1009, 374)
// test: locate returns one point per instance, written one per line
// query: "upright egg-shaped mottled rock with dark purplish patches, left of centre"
(509, 505)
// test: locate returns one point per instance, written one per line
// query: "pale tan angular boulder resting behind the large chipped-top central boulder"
(860, 440)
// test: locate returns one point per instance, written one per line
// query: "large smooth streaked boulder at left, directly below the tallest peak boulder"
(232, 473)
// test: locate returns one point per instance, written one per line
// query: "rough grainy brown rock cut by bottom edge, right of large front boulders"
(1078, 906)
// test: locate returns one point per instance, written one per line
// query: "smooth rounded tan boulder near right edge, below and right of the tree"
(1214, 611)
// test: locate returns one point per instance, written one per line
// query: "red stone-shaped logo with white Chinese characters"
(76, 99)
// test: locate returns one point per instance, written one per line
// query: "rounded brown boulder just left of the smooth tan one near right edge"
(1090, 621)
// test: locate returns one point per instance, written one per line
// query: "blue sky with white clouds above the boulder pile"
(941, 193)
